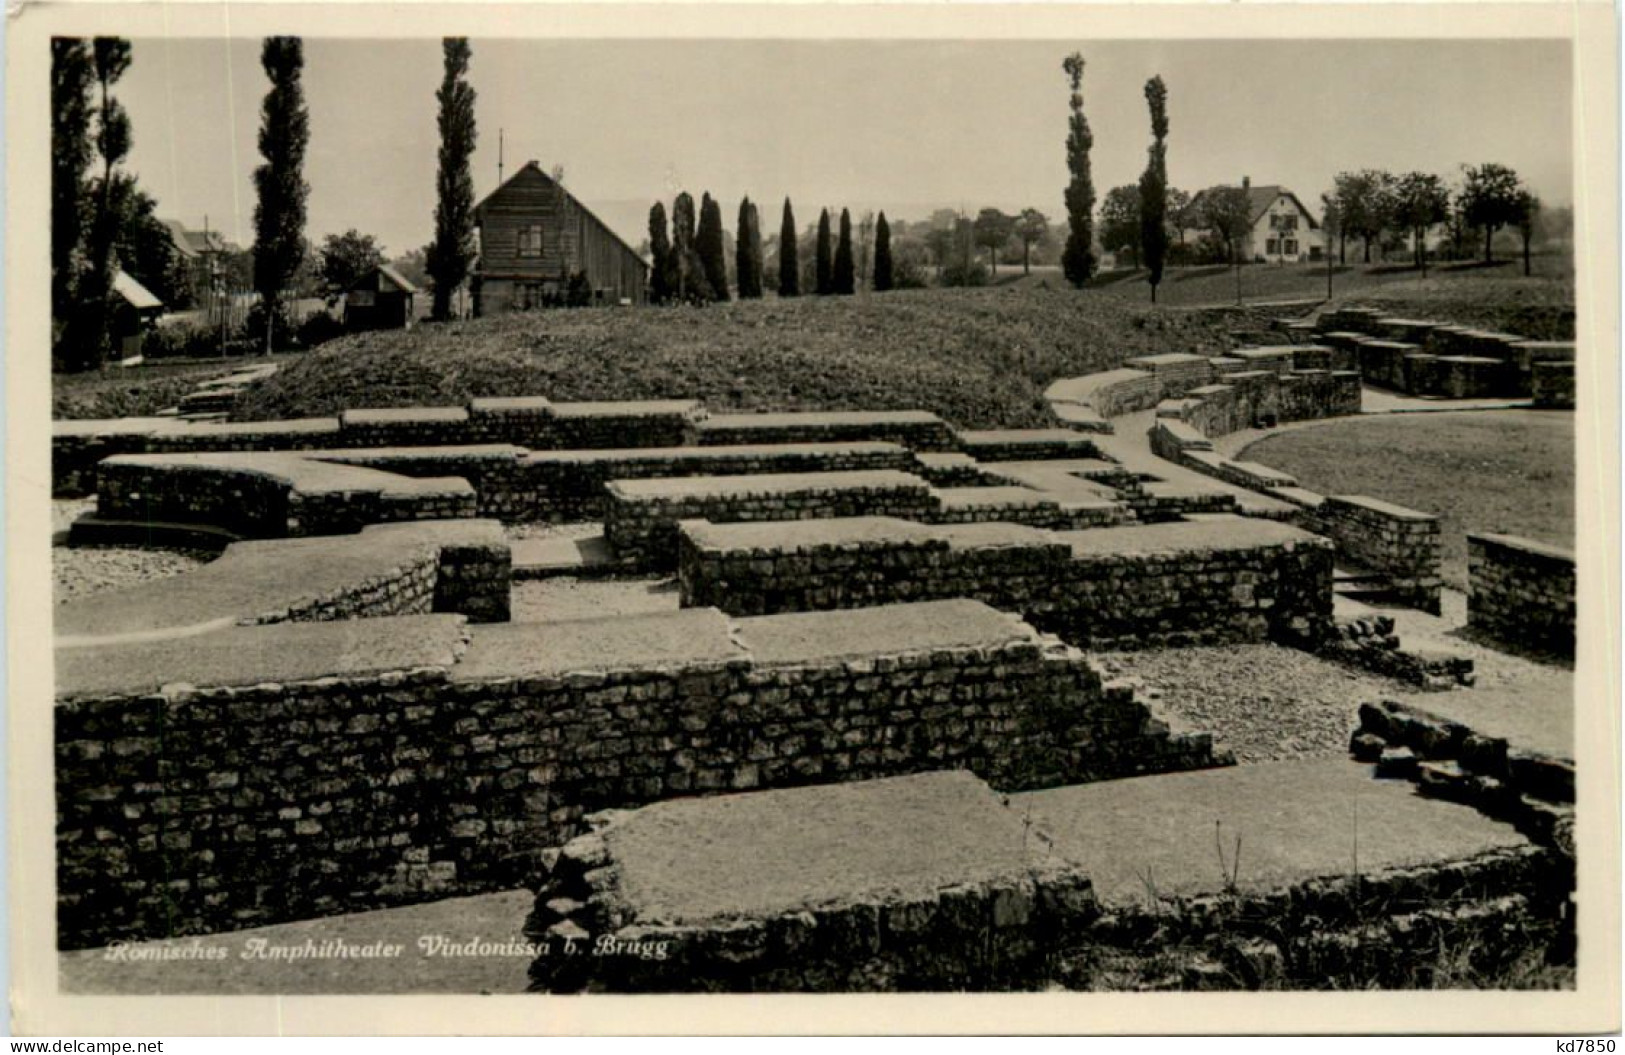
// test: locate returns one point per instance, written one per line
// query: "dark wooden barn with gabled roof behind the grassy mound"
(535, 237)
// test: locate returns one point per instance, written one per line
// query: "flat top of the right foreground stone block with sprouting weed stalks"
(1299, 820)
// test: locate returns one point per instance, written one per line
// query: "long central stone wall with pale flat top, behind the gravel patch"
(1174, 584)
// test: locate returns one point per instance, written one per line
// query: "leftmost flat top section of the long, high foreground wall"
(259, 654)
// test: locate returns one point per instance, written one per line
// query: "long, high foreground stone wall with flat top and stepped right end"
(267, 775)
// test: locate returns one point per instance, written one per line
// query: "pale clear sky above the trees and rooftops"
(898, 126)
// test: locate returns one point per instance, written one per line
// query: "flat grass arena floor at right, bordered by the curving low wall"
(1510, 472)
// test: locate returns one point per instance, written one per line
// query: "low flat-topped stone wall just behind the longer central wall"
(641, 518)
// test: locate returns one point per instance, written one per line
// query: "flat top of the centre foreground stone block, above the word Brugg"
(817, 848)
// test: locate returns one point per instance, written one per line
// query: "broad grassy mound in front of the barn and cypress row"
(981, 358)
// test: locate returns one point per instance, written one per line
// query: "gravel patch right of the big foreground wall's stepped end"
(1265, 703)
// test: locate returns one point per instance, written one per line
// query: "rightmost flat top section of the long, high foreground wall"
(885, 630)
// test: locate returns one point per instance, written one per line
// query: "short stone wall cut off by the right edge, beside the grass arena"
(1522, 593)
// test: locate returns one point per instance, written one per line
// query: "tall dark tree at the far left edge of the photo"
(71, 160)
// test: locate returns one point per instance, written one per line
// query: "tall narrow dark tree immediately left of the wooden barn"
(454, 214)
